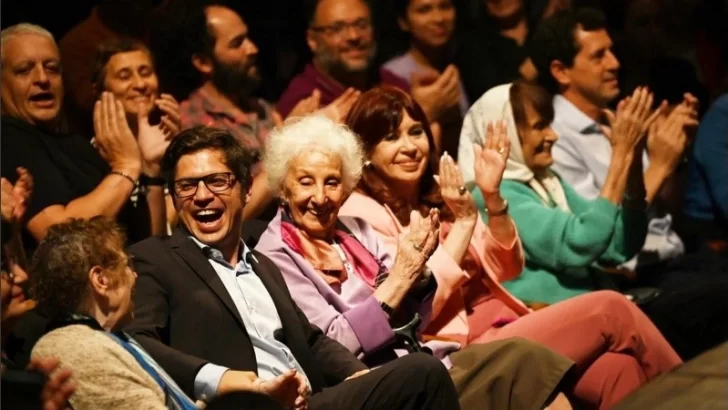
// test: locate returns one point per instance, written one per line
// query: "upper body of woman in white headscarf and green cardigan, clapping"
(568, 240)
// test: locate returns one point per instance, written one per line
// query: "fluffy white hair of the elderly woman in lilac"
(312, 133)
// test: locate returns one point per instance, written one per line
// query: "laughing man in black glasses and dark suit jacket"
(219, 318)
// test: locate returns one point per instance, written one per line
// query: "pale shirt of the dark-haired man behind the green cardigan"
(582, 156)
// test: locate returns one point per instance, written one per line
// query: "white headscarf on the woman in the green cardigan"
(495, 105)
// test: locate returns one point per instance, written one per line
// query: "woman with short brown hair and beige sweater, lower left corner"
(82, 277)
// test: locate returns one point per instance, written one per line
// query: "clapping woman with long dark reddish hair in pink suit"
(615, 346)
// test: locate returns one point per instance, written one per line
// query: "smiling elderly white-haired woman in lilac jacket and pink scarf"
(346, 282)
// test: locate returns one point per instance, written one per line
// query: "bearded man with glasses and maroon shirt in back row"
(341, 38)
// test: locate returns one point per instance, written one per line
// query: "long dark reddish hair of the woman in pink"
(376, 114)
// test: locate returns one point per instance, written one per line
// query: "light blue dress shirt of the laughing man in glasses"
(260, 317)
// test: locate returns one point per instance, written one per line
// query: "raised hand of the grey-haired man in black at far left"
(114, 138)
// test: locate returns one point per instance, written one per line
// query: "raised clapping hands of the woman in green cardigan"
(631, 121)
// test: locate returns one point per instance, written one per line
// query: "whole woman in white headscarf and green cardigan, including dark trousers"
(570, 242)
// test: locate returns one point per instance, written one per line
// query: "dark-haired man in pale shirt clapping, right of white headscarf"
(578, 66)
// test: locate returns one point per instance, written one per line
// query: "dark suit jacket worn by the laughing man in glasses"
(185, 318)
